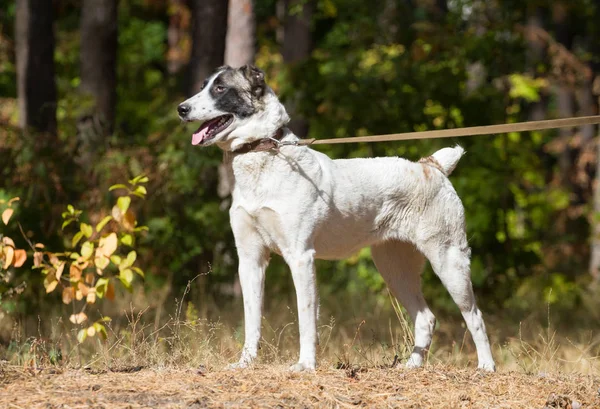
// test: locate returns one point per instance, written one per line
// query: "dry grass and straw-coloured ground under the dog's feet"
(179, 363)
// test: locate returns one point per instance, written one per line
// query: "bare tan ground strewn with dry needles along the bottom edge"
(275, 387)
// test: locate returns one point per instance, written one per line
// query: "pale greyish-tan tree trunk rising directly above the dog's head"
(241, 28)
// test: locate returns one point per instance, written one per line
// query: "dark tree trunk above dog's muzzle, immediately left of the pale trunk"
(209, 28)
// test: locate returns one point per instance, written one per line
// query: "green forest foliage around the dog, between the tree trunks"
(369, 72)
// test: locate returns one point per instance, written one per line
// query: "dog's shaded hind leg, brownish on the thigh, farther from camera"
(401, 264)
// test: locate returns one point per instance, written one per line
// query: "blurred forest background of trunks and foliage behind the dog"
(88, 97)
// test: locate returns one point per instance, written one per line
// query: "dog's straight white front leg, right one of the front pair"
(303, 272)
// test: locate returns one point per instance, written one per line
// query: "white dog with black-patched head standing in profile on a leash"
(299, 203)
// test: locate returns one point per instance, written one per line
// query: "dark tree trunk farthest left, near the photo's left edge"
(35, 65)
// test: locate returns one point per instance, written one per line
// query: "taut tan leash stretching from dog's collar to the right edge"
(469, 131)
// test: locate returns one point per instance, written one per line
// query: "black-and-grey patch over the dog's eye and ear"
(238, 91)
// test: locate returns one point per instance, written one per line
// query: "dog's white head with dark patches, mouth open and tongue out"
(235, 106)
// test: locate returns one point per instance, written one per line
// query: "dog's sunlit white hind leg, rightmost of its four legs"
(452, 266)
